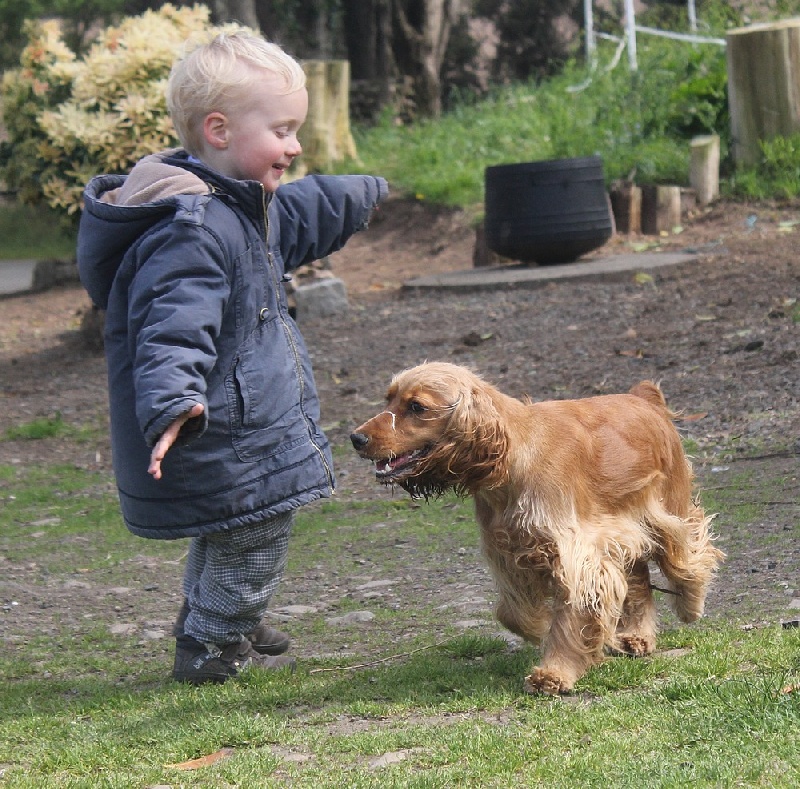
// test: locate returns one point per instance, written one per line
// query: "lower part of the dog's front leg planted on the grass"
(573, 645)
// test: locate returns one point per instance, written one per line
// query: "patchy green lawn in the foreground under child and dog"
(80, 707)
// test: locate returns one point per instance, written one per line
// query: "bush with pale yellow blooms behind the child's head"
(68, 119)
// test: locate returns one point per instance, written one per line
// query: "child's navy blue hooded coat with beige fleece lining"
(189, 267)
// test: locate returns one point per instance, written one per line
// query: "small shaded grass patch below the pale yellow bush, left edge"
(33, 233)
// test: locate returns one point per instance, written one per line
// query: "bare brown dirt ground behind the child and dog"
(721, 334)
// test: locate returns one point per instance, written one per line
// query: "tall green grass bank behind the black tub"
(638, 123)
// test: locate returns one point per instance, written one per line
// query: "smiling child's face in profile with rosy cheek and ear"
(259, 141)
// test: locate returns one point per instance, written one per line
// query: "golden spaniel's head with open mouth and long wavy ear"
(440, 430)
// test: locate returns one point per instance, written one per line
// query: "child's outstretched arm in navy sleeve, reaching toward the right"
(319, 213)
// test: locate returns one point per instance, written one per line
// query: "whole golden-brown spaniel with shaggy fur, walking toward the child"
(573, 498)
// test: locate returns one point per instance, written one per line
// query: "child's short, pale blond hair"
(217, 76)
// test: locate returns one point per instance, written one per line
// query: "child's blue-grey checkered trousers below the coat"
(230, 577)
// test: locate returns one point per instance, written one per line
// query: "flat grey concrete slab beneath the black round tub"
(526, 276)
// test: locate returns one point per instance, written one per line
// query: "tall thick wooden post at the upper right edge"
(763, 86)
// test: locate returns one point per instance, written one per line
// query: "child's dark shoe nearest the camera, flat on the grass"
(197, 663)
